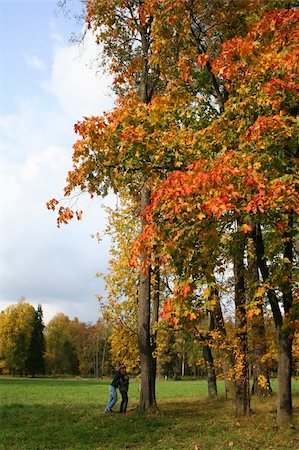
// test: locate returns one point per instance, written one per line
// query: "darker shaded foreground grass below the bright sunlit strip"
(176, 425)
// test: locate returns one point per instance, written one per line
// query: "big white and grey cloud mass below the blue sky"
(54, 267)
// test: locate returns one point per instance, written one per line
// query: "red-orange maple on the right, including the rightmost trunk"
(251, 175)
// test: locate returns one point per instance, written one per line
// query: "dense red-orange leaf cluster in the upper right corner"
(266, 59)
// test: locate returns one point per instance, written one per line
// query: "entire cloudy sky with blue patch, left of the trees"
(46, 85)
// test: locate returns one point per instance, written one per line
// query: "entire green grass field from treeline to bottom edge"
(39, 414)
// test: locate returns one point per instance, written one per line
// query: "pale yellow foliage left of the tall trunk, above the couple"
(120, 309)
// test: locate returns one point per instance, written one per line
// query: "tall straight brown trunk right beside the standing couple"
(147, 365)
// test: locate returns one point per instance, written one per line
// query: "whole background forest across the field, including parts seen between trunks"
(67, 347)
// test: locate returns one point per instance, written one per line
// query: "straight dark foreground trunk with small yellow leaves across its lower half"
(241, 355)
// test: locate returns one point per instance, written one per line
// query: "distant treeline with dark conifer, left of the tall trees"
(64, 346)
